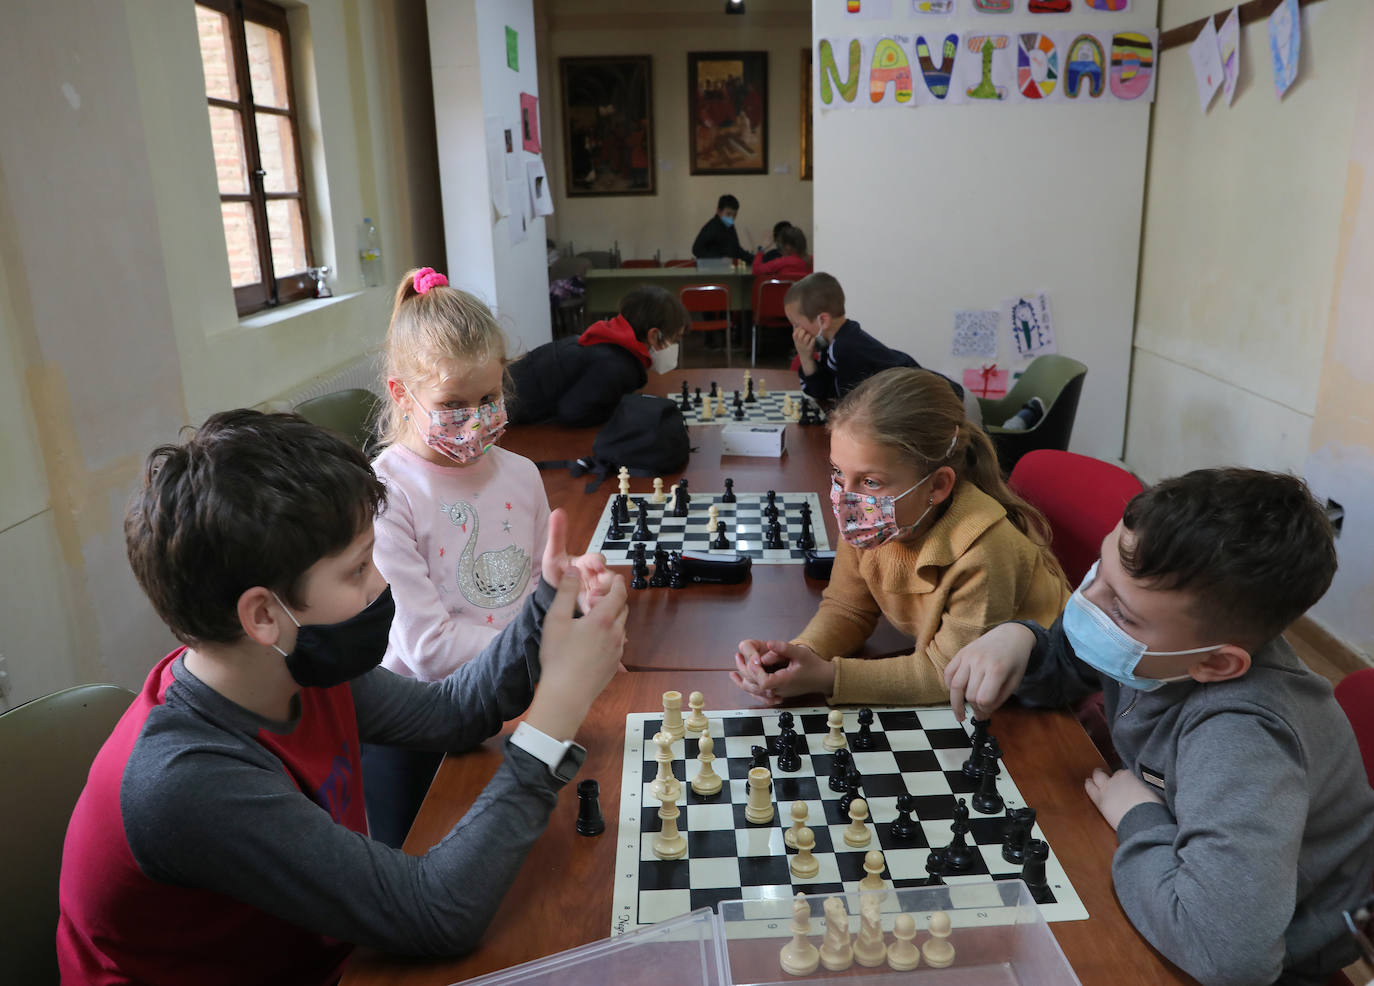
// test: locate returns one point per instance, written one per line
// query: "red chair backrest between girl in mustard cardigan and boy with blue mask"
(1082, 498)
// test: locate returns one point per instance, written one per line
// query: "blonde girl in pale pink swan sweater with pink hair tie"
(466, 520)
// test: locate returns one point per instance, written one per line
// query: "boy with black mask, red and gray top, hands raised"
(222, 834)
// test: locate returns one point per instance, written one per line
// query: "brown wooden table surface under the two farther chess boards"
(699, 628)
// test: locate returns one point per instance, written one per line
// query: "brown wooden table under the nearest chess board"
(563, 896)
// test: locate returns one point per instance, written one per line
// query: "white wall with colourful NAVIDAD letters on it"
(923, 212)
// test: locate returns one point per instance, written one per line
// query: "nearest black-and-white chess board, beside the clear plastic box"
(916, 750)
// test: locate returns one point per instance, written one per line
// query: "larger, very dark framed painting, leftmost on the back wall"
(608, 126)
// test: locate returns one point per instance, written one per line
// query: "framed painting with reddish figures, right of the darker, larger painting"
(728, 112)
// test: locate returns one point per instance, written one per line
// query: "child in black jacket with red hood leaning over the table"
(579, 381)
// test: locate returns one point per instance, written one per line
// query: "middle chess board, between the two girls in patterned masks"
(744, 528)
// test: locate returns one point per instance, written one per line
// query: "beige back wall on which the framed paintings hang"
(668, 222)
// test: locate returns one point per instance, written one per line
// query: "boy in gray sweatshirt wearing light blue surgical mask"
(1244, 818)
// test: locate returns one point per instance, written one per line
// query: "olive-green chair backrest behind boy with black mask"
(46, 753)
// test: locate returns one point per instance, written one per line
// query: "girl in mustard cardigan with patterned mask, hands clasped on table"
(932, 539)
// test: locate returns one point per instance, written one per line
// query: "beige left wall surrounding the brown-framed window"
(116, 312)
